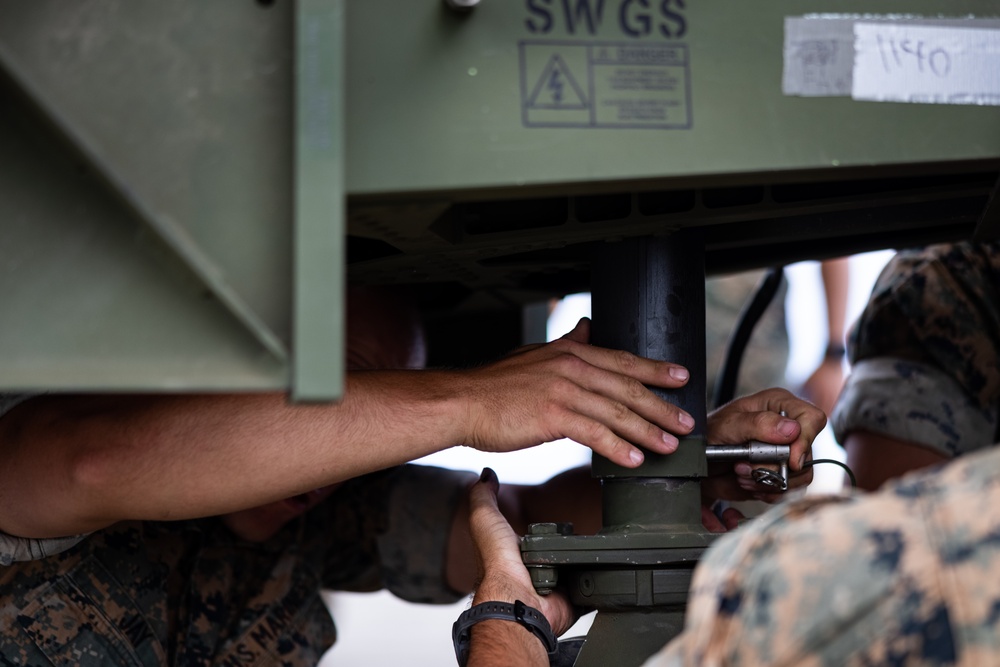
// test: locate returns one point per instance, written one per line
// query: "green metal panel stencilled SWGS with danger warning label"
(443, 101)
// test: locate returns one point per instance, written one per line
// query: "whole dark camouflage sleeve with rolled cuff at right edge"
(926, 351)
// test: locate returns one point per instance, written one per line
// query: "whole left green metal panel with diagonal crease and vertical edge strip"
(182, 116)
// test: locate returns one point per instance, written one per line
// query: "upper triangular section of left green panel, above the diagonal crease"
(187, 123)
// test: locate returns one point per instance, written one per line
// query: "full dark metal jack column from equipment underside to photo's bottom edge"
(649, 299)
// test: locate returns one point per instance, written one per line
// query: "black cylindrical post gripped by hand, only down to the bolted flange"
(649, 299)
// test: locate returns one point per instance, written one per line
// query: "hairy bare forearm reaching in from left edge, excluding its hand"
(75, 464)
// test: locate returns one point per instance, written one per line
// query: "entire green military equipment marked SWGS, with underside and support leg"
(187, 186)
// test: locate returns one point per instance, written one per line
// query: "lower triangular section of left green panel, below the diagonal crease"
(92, 299)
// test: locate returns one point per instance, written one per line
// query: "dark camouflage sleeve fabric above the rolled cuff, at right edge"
(939, 306)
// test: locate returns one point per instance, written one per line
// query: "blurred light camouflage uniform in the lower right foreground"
(907, 576)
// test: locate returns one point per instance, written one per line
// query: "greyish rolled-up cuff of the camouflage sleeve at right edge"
(914, 402)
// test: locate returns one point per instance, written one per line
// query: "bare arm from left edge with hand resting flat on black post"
(77, 464)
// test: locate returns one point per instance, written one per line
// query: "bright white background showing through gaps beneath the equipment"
(378, 629)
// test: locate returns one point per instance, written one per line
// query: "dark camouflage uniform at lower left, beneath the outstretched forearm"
(191, 593)
